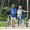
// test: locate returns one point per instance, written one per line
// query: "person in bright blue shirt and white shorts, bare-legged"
(13, 14)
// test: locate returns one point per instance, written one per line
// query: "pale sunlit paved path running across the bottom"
(16, 27)
